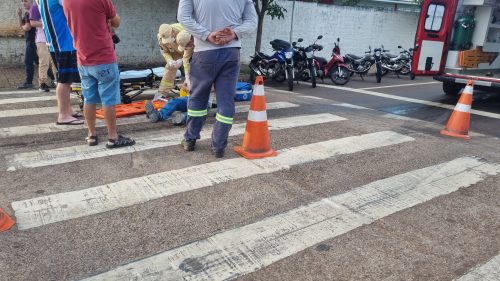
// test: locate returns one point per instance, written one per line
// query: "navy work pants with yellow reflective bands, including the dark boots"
(220, 68)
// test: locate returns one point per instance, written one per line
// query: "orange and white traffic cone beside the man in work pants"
(256, 141)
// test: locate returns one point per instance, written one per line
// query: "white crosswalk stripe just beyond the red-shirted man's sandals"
(52, 127)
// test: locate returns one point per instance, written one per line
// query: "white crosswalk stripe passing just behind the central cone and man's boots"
(160, 139)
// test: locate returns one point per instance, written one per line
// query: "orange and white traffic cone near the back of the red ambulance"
(459, 122)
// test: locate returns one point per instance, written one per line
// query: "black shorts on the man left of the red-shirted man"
(67, 67)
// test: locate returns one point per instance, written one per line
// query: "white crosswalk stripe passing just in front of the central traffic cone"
(59, 207)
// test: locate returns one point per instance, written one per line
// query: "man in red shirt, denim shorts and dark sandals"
(90, 22)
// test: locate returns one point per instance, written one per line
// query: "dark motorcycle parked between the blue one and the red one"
(304, 66)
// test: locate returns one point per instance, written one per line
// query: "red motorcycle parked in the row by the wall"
(336, 69)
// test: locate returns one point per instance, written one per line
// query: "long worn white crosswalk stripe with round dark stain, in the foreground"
(246, 249)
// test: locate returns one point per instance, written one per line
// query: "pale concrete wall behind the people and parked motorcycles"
(356, 27)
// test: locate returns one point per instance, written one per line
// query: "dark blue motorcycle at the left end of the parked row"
(278, 67)
